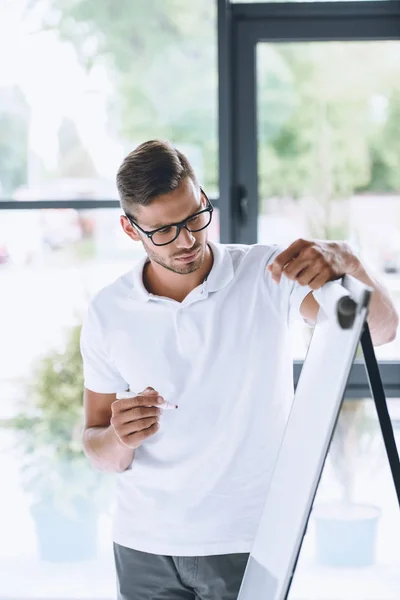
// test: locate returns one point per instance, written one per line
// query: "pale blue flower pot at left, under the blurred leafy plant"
(65, 537)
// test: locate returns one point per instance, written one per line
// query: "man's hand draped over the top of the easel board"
(313, 263)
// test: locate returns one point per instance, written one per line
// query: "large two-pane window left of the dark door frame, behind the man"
(80, 89)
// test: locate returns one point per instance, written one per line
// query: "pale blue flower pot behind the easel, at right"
(346, 534)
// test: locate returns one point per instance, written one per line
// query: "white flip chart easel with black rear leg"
(341, 326)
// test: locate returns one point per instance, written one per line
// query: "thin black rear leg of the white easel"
(378, 394)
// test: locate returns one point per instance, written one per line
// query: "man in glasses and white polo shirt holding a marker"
(203, 326)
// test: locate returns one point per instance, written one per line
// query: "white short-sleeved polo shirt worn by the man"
(198, 486)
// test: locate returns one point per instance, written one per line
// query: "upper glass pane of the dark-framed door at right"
(329, 153)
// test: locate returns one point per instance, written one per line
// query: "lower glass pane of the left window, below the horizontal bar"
(53, 262)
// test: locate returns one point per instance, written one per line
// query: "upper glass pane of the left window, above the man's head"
(79, 90)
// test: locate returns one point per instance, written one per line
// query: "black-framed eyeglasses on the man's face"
(168, 234)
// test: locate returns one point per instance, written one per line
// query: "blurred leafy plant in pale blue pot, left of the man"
(64, 490)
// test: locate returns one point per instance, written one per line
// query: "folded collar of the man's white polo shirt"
(221, 273)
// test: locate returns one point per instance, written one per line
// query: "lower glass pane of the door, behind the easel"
(350, 549)
